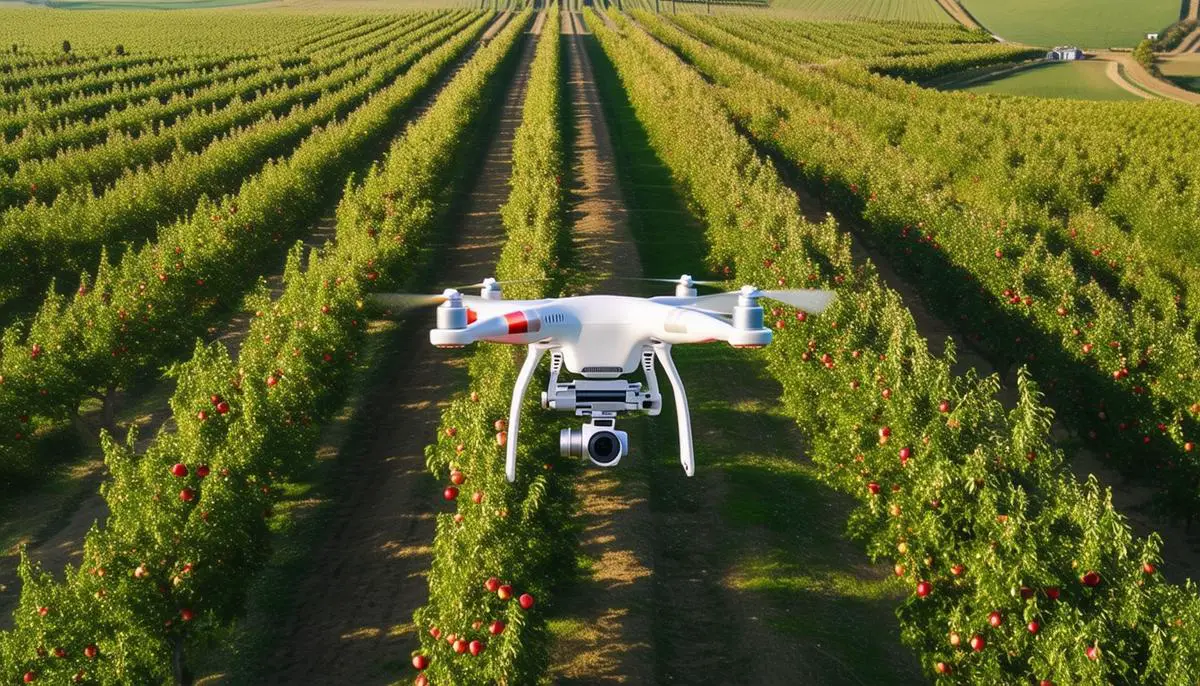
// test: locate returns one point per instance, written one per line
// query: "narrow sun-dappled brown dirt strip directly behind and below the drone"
(613, 643)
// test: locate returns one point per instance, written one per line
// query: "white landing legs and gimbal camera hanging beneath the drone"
(601, 401)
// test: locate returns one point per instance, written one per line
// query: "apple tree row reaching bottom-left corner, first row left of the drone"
(181, 546)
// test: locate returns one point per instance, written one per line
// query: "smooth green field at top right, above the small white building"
(1087, 23)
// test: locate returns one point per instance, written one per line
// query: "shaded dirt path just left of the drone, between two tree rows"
(353, 618)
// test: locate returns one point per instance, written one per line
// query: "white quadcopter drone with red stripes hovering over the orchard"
(602, 339)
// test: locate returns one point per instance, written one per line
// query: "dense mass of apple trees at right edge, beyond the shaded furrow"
(1059, 252)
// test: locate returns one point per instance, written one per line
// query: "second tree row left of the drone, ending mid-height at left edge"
(139, 314)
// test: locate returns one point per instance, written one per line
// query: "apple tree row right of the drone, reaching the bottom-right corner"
(939, 486)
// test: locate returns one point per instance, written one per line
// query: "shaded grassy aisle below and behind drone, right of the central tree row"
(695, 607)
